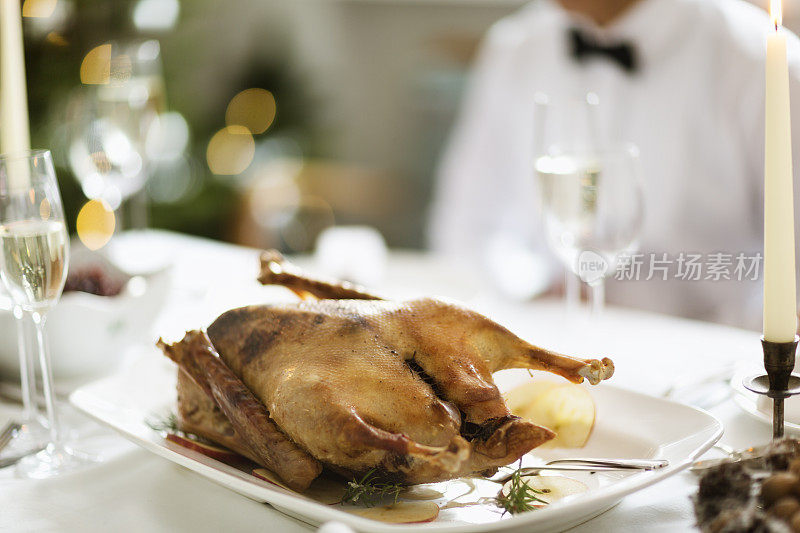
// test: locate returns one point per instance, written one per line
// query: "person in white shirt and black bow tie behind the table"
(683, 80)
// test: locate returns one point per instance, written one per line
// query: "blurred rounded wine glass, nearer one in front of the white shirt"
(593, 209)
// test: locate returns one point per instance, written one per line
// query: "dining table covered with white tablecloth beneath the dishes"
(134, 490)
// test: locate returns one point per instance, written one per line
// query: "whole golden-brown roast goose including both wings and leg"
(350, 382)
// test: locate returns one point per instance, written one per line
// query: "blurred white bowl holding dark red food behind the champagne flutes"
(89, 334)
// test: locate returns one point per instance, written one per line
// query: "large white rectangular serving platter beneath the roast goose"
(628, 425)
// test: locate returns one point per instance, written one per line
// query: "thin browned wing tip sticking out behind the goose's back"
(275, 270)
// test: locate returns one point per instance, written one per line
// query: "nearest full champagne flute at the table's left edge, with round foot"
(33, 267)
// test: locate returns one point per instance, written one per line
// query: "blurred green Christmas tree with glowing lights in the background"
(200, 82)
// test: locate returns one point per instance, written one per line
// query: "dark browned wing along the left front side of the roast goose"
(250, 419)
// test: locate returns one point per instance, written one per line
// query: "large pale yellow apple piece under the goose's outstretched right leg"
(565, 408)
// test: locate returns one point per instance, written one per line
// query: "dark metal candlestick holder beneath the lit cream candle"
(778, 383)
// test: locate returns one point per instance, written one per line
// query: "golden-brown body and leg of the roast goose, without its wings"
(364, 384)
